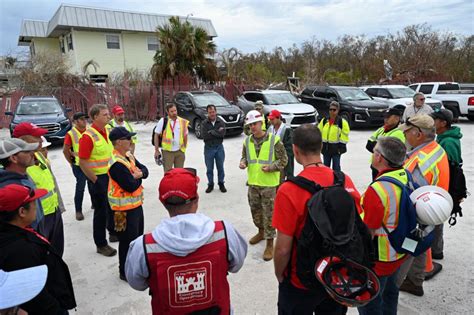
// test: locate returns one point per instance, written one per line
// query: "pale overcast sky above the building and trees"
(254, 25)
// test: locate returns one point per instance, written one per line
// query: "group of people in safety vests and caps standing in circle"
(184, 261)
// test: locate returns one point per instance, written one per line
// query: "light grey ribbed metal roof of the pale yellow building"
(81, 17)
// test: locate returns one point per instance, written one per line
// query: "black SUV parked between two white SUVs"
(358, 108)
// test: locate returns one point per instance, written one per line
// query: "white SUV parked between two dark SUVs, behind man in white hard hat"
(293, 112)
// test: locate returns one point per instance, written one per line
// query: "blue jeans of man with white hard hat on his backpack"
(387, 301)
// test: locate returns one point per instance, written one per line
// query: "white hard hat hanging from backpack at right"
(433, 204)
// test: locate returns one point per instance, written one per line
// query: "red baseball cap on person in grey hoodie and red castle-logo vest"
(179, 182)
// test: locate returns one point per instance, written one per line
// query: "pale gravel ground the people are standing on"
(254, 289)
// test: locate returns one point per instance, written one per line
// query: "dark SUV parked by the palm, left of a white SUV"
(192, 106)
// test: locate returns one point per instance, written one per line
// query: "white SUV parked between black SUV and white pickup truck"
(397, 96)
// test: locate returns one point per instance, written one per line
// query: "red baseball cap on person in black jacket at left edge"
(13, 196)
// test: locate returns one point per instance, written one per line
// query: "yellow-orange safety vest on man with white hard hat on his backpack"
(389, 194)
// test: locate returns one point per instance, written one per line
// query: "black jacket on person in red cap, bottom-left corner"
(20, 249)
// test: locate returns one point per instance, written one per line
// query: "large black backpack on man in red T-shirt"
(333, 227)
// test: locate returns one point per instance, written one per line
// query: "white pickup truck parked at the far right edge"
(460, 102)
